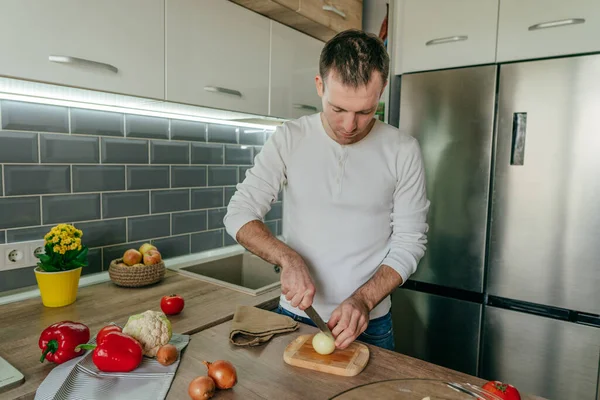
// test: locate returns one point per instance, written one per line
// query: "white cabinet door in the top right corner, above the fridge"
(546, 28)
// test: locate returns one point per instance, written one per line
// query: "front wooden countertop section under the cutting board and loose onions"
(262, 373)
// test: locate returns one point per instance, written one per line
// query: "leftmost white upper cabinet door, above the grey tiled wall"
(108, 45)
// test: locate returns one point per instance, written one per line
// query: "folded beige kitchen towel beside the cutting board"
(253, 326)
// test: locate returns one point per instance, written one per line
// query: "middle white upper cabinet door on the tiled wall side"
(217, 55)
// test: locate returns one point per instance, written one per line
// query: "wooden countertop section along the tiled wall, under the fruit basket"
(21, 323)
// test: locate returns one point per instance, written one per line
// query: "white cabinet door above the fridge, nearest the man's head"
(440, 34)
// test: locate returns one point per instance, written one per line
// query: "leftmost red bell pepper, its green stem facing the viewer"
(58, 341)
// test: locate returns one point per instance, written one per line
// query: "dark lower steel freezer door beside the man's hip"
(437, 329)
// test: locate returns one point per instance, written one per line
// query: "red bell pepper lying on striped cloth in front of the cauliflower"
(117, 352)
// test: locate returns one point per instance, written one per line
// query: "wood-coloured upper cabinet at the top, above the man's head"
(321, 19)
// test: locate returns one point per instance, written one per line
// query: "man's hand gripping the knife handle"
(296, 284)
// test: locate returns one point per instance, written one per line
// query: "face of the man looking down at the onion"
(349, 111)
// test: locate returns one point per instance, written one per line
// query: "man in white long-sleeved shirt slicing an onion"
(355, 206)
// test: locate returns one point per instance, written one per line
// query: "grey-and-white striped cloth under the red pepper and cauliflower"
(80, 379)
